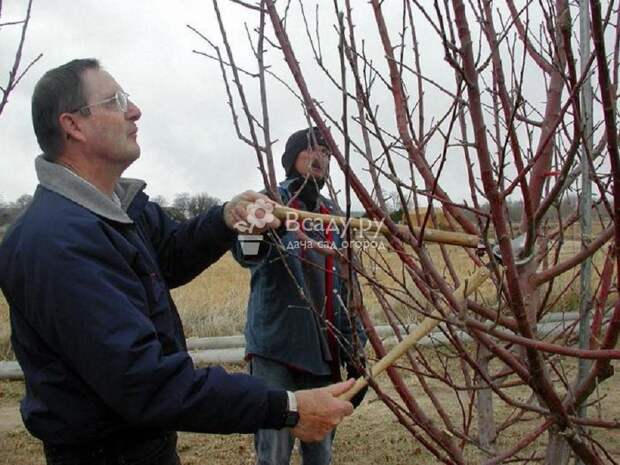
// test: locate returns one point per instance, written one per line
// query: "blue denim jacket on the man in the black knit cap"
(286, 309)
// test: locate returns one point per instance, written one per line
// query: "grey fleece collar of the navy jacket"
(64, 182)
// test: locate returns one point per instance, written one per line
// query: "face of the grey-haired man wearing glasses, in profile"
(110, 134)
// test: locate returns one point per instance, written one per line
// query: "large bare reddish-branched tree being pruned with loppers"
(512, 120)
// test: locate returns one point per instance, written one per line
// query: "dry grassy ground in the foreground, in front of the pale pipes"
(371, 436)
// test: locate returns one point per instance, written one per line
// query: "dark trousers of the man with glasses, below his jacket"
(158, 450)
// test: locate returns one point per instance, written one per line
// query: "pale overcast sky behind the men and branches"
(186, 133)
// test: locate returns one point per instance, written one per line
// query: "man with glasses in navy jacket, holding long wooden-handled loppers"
(87, 271)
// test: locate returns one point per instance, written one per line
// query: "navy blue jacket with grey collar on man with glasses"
(96, 331)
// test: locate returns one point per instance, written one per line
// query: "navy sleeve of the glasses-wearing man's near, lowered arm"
(93, 309)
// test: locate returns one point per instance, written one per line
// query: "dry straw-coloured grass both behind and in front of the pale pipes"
(214, 304)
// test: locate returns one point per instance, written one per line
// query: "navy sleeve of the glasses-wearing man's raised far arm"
(185, 249)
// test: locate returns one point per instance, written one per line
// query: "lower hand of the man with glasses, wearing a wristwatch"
(320, 411)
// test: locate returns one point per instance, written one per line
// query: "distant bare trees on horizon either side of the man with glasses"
(183, 207)
